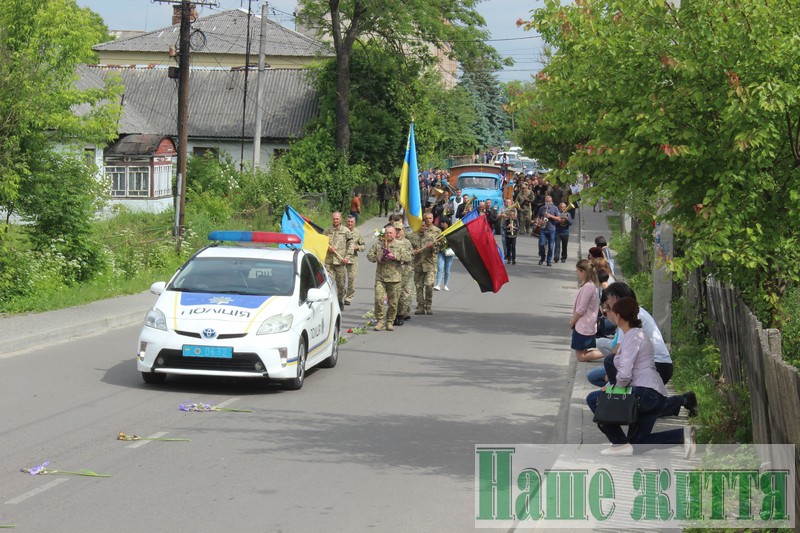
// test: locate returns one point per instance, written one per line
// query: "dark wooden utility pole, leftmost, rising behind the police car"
(184, 48)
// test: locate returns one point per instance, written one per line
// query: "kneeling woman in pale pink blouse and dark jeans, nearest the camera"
(635, 367)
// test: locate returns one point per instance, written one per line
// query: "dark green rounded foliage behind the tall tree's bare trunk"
(388, 89)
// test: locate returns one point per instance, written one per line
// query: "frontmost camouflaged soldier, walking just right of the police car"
(389, 255)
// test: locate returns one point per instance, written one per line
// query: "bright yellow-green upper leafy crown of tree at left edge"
(41, 45)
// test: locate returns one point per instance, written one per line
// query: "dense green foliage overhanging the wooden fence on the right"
(696, 106)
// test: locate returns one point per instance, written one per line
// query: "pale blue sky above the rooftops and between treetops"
(501, 17)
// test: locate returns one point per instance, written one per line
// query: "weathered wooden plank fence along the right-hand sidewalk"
(751, 356)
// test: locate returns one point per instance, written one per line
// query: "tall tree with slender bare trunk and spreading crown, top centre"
(409, 26)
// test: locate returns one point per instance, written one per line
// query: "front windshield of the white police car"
(224, 275)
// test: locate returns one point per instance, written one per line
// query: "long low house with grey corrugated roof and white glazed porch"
(139, 165)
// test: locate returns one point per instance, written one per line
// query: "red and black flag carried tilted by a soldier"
(474, 245)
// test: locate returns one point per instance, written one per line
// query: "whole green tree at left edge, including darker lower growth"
(43, 113)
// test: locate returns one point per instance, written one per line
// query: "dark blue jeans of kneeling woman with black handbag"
(651, 404)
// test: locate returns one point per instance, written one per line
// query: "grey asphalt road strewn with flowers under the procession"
(383, 442)
